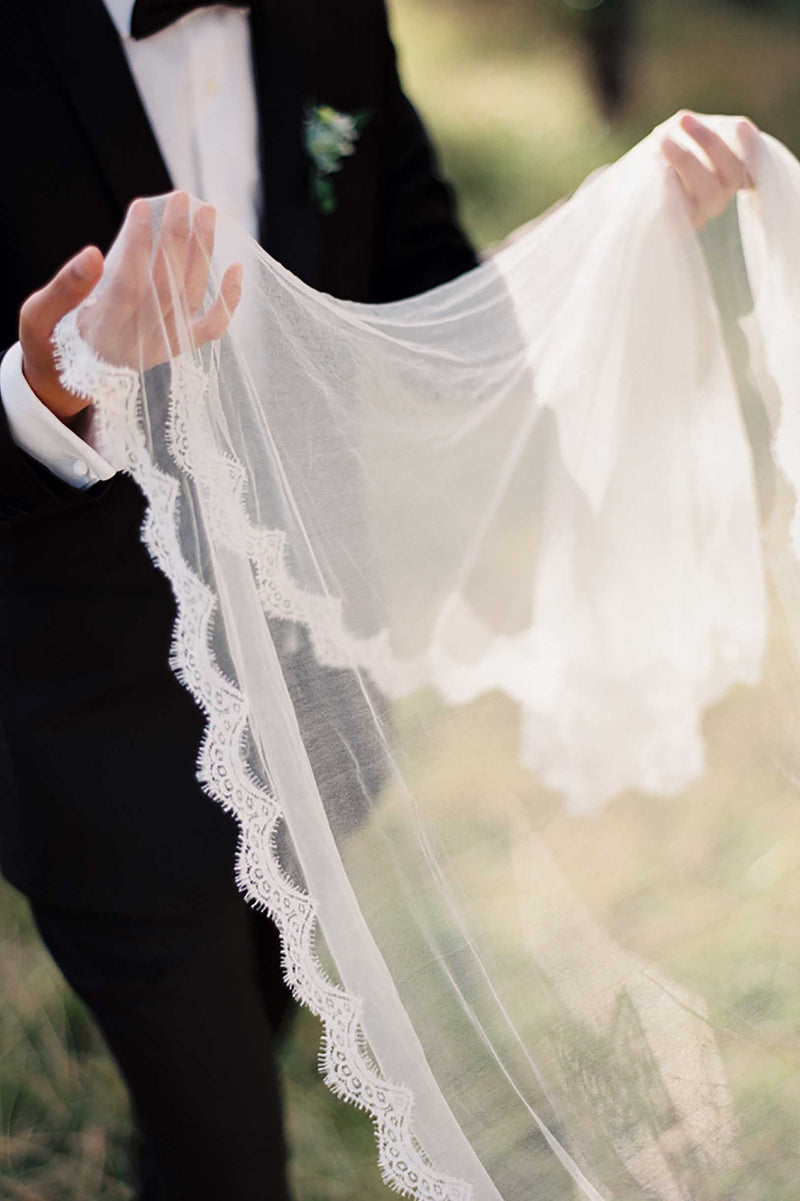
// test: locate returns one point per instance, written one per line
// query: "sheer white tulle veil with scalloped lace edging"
(491, 599)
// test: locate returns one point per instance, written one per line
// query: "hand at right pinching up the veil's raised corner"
(709, 181)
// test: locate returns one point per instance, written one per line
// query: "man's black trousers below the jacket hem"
(190, 1008)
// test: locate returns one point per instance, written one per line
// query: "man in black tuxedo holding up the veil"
(128, 865)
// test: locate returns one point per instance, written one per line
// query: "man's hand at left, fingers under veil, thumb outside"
(136, 319)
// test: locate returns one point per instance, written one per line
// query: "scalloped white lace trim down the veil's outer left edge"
(347, 1062)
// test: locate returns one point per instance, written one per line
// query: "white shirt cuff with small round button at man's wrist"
(39, 432)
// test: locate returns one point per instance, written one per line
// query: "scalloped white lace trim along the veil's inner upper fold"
(665, 738)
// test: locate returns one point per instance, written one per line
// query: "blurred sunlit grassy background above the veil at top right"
(504, 87)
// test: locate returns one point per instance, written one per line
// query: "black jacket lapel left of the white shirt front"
(88, 56)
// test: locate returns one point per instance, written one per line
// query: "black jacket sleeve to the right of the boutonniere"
(420, 242)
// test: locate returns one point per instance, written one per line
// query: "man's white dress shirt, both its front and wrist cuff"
(198, 88)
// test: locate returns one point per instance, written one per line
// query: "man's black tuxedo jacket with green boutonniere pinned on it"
(100, 808)
